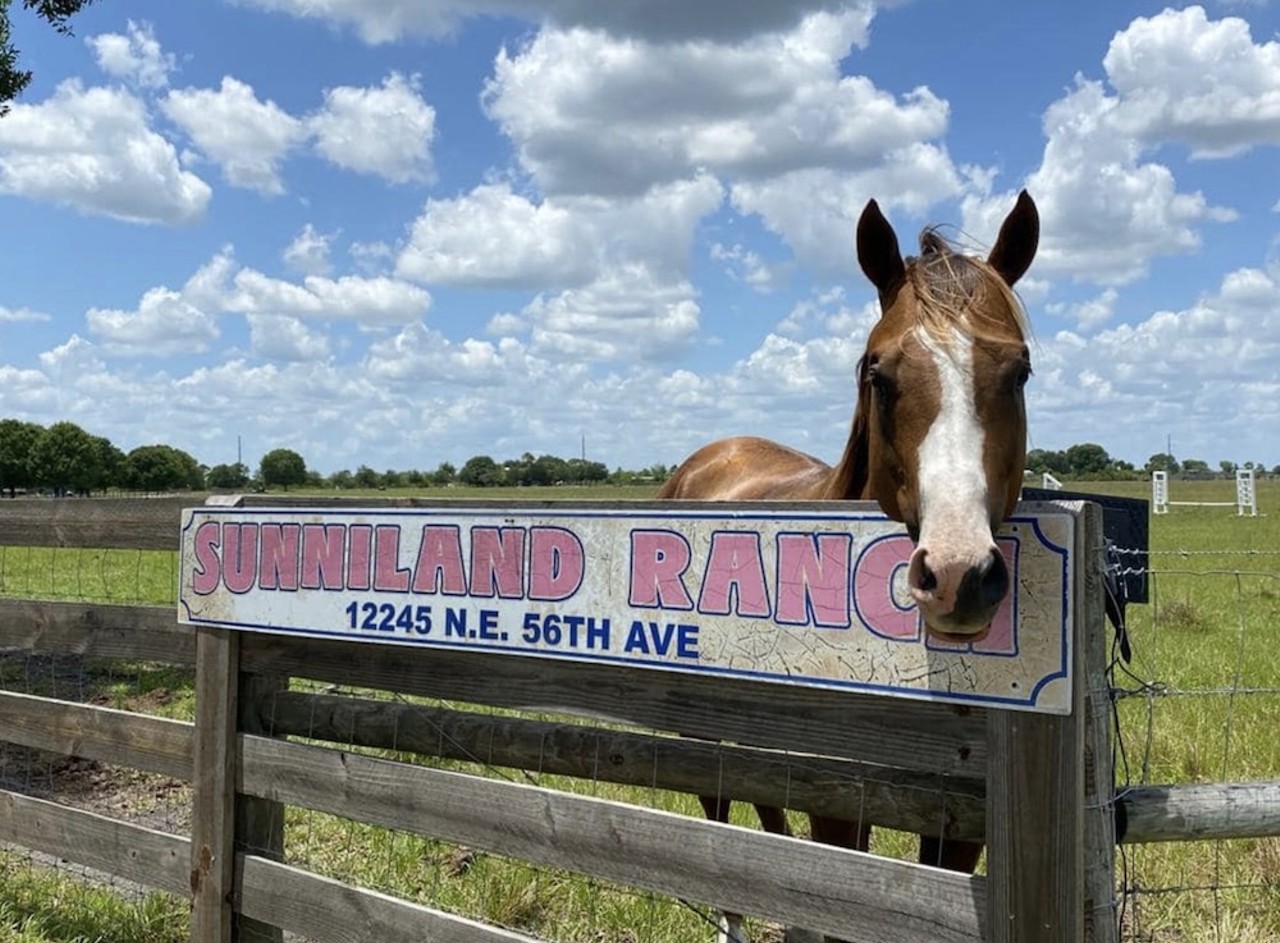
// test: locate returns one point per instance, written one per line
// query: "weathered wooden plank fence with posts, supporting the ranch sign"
(1037, 789)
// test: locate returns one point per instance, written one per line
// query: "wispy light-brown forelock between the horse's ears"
(952, 289)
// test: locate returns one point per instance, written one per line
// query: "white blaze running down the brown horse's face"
(956, 529)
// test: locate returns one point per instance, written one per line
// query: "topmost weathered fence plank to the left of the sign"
(111, 524)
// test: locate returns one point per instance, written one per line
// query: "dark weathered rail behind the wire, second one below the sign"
(836, 789)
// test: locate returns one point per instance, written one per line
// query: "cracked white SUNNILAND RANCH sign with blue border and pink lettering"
(799, 596)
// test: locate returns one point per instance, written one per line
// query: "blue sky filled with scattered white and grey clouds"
(404, 232)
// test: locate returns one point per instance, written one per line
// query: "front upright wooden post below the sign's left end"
(213, 821)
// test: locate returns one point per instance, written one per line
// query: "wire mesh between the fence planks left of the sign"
(43, 896)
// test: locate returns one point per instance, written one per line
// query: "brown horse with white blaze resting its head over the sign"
(939, 441)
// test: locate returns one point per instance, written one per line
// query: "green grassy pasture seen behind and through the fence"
(1200, 706)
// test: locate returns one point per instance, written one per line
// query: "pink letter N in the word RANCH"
(813, 580)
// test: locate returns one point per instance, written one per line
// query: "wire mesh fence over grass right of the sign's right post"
(1200, 703)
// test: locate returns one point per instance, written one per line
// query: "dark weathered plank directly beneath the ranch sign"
(894, 733)
